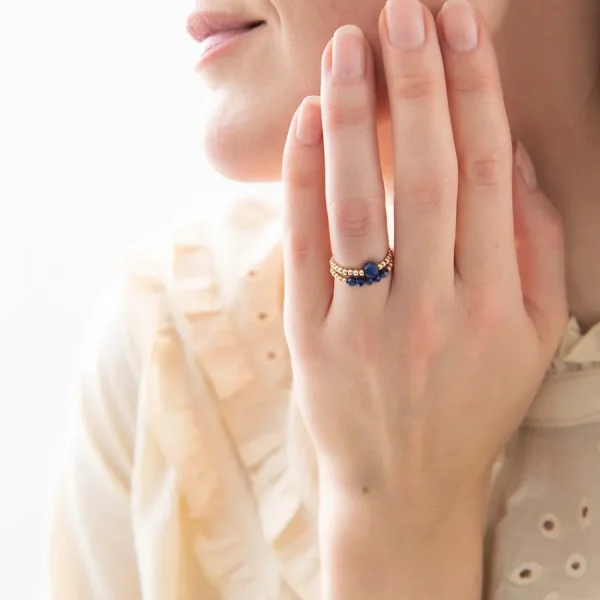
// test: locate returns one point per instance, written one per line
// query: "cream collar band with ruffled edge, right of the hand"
(570, 394)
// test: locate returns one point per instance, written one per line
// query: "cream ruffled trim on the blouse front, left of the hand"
(219, 394)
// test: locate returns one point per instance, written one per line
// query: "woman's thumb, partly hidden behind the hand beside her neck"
(540, 243)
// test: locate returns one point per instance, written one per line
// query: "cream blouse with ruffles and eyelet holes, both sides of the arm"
(178, 484)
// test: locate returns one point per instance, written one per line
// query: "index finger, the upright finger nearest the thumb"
(485, 245)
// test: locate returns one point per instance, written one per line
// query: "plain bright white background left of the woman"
(100, 116)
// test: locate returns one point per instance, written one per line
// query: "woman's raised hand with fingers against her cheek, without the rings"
(410, 387)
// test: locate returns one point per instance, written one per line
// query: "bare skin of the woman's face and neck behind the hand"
(549, 55)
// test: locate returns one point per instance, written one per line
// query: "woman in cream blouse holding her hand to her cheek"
(259, 421)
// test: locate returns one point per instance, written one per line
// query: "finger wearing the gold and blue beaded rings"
(353, 180)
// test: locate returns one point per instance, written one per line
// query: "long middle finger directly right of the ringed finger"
(425, 162)
